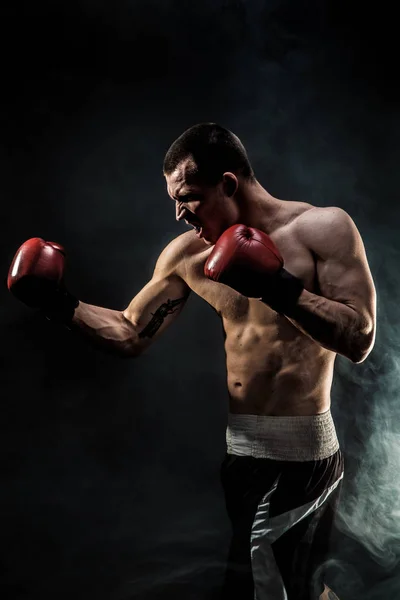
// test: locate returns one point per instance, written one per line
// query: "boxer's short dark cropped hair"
(214, 151)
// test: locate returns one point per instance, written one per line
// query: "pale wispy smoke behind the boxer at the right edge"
(369, 411)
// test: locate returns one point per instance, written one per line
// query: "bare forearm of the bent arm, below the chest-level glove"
(334, 325)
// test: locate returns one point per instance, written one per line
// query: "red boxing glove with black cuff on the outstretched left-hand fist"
(36, 278)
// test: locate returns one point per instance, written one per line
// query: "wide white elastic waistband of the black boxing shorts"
(282, 438)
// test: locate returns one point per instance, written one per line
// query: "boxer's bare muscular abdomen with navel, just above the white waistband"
(274, 369)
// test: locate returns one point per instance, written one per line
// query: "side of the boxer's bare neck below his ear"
(257, 208)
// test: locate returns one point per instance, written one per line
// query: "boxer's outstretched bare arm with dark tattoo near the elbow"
(129, 332)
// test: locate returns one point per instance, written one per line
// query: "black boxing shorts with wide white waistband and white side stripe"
(282, 478)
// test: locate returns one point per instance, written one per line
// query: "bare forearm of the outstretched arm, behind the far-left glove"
(107, 328)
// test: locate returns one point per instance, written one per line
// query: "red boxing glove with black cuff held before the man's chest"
(247, 260)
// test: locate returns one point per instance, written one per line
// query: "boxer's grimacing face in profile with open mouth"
(209, 209)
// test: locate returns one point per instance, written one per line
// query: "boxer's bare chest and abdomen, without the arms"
(272, 367)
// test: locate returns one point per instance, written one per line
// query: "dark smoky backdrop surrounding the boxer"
(109, 486)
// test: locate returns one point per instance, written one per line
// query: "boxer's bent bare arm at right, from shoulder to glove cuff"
(342, 315)
